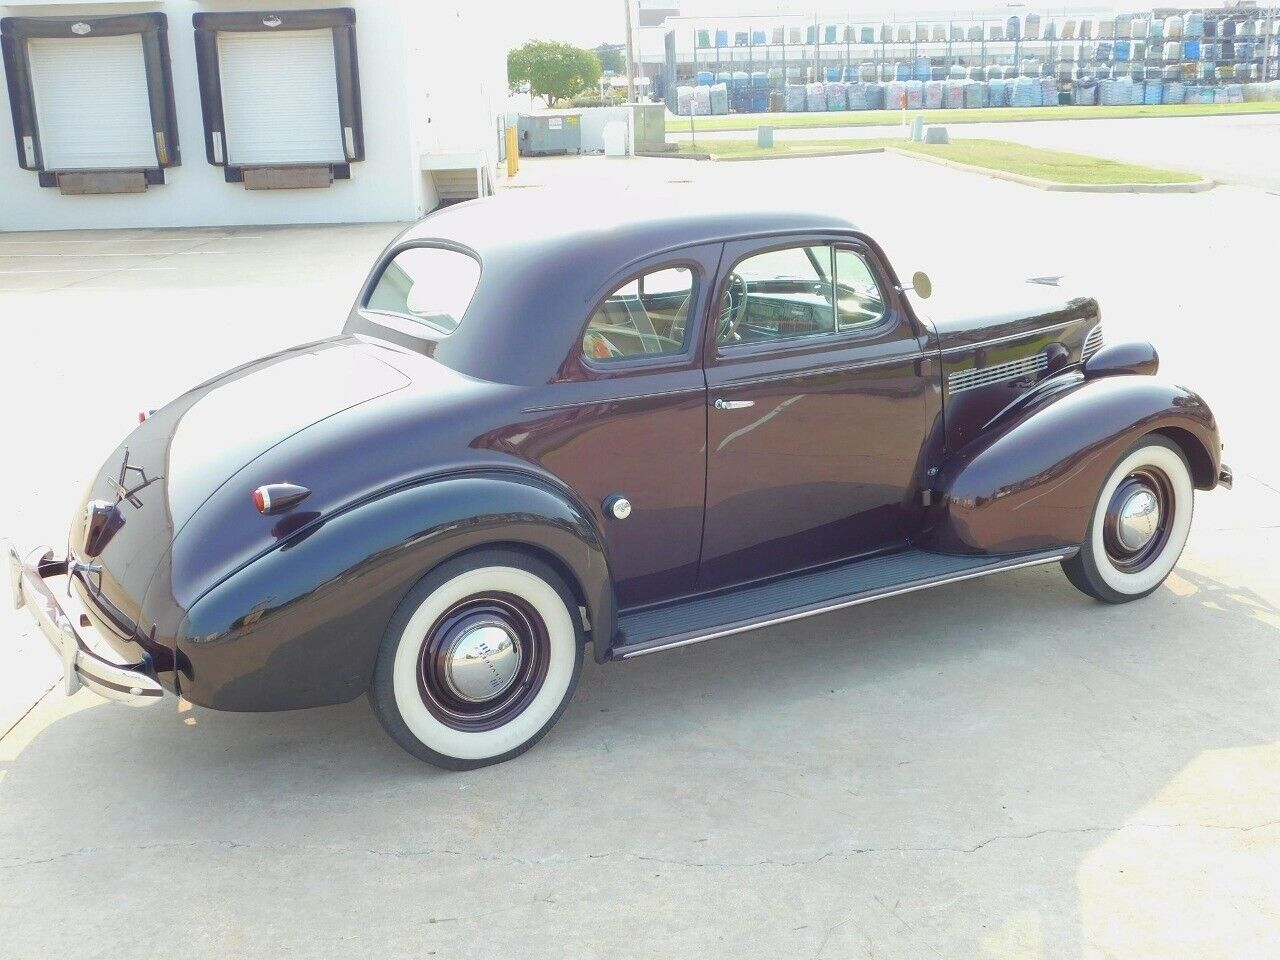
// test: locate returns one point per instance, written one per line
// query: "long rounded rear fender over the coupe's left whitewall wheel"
(301, 625)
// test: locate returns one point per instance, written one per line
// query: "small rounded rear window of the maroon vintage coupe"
(431, 286)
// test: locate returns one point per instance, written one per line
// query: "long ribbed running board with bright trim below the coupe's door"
(706, 618)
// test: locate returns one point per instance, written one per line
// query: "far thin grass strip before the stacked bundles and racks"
(995, 115)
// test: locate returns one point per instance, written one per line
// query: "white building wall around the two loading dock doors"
(412, 54)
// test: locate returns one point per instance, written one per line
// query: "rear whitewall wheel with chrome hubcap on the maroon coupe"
(479, 661)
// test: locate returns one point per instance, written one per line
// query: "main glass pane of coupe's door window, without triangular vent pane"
(779, 295)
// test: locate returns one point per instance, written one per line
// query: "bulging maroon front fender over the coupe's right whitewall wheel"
(1030, 481)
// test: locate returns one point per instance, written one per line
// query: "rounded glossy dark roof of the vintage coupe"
(546, 257)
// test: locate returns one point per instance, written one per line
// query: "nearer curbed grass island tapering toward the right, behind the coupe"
(1052, 166)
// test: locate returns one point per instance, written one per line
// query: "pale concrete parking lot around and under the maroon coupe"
(999, 769)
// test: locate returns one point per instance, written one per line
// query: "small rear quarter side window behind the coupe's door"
(644, 318)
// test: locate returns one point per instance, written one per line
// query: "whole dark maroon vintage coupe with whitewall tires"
(538, 433)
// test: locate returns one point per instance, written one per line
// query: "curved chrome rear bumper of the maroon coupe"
(131, 684)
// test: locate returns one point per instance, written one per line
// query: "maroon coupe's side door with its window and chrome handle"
(820, 403)
